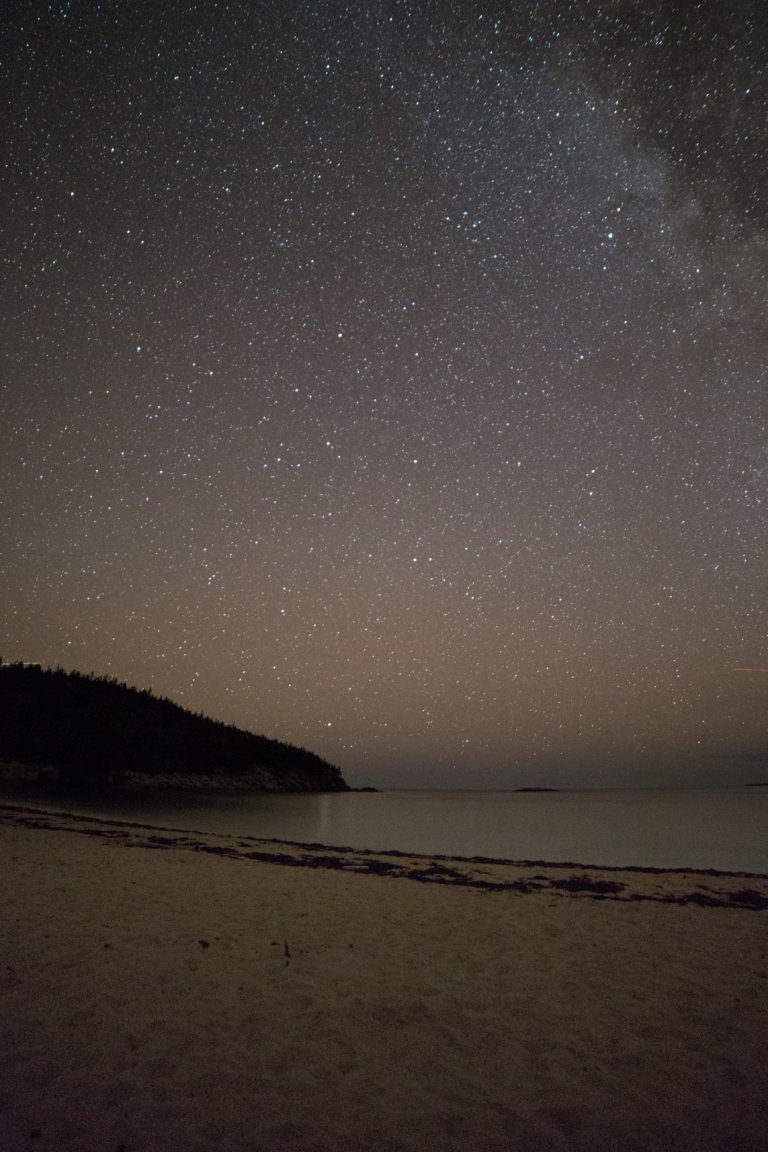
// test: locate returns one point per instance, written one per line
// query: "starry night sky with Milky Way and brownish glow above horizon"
(391, 378)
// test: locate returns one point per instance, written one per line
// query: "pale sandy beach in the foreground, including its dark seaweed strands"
(188, 991)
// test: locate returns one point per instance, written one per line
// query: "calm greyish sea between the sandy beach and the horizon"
(725, 829)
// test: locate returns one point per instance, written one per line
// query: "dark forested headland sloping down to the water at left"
(74, 729)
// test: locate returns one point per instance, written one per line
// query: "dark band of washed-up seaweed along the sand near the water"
(401, 866)
